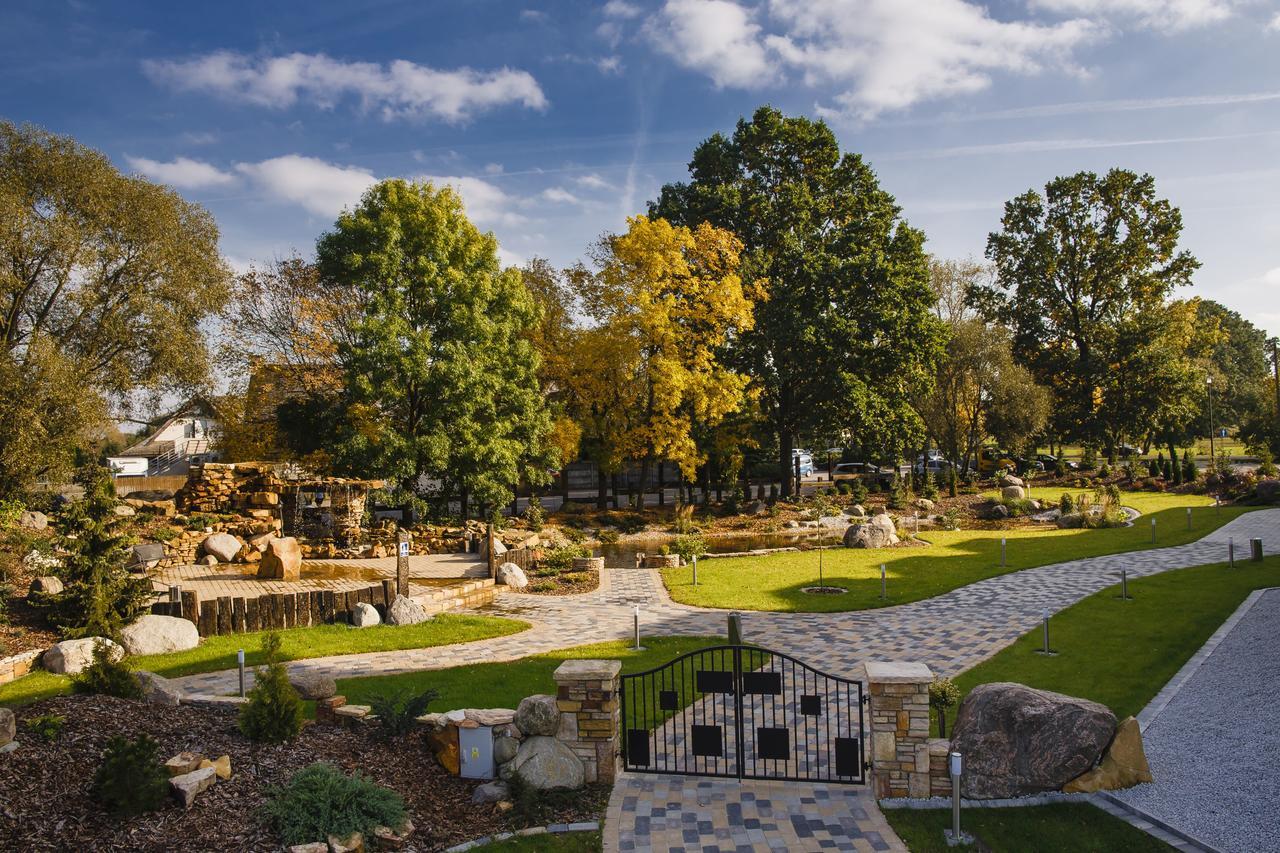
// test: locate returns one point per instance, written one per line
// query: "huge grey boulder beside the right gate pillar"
(1018, 741)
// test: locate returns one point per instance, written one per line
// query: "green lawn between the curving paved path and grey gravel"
(1123, 653)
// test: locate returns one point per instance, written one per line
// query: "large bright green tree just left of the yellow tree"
(441, 377)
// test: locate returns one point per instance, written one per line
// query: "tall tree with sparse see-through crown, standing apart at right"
(1080, 272)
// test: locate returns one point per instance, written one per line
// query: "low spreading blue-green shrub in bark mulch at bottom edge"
(321, 801)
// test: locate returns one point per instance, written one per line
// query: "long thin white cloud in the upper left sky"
(399, 90)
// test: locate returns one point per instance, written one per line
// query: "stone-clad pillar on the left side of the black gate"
(587, 695)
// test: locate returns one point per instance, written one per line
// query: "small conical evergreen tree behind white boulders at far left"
(100, 596)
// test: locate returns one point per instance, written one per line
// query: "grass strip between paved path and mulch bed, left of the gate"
(504, 686)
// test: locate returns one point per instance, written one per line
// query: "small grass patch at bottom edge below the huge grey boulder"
(1060, 828)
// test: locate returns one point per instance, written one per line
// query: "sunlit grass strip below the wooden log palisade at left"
(298, 644)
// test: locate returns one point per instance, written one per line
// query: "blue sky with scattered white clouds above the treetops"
(557, 121)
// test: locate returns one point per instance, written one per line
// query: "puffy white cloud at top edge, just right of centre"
(716, 38)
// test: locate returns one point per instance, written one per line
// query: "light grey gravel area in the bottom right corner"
(1215, 749)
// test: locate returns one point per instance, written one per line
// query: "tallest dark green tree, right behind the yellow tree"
(847, 340)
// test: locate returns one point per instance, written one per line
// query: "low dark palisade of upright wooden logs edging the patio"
(227, 615)
